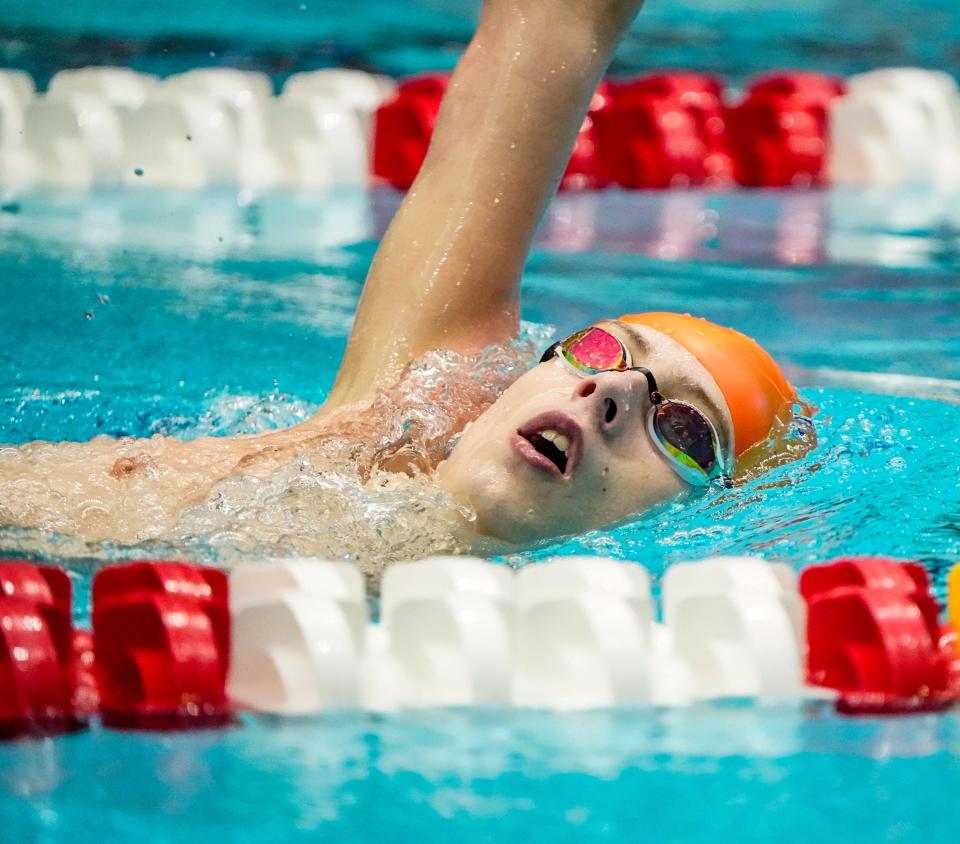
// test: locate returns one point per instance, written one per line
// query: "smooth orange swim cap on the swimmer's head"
(754, 387)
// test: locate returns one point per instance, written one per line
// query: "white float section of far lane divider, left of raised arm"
(202, 128)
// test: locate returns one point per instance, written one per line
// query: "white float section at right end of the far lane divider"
(896, 126)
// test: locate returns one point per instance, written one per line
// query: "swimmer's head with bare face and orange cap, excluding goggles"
(612, 465)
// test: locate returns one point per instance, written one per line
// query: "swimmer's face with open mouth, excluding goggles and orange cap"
(613, 469)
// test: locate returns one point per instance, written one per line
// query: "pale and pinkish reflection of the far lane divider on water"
(918, 227)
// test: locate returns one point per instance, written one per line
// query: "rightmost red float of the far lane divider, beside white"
(779, 133)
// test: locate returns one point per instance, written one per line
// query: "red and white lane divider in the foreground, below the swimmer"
(170, 650)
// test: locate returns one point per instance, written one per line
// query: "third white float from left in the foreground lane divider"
(584, 634)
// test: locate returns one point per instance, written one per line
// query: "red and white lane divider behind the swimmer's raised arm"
(221, 126)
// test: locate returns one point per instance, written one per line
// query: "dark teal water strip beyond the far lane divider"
(735, 37)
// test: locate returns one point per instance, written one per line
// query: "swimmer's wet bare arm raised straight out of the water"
(447, 273)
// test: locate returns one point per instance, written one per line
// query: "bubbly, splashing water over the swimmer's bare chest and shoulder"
(333, 492)
